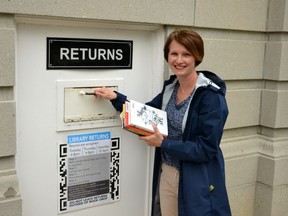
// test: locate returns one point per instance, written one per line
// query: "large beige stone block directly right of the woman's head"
(234, 58)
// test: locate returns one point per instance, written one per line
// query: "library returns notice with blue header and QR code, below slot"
(85, 171)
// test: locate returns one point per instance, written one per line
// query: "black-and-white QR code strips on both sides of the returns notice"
(114, 189)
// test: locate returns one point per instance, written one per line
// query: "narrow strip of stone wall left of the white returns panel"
(10, 201)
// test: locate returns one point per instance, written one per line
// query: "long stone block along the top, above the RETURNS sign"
(148, 11)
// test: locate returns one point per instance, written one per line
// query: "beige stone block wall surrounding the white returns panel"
(246, 43)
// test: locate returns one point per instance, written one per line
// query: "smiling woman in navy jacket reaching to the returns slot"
(189, 176)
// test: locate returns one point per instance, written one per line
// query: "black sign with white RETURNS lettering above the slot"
(75, 53)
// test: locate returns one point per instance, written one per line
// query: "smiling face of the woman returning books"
(181, 62)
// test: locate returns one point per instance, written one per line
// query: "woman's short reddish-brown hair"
(190, 39)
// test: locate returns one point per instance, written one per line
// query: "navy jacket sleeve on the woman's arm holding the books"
(203, 131)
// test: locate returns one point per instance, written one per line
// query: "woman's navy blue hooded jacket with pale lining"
(202, 189)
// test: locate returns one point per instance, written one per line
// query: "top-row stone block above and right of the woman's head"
(241, 15)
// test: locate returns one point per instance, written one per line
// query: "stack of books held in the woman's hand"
(138, 118)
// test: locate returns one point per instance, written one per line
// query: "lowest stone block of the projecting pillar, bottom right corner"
(272, 186)
